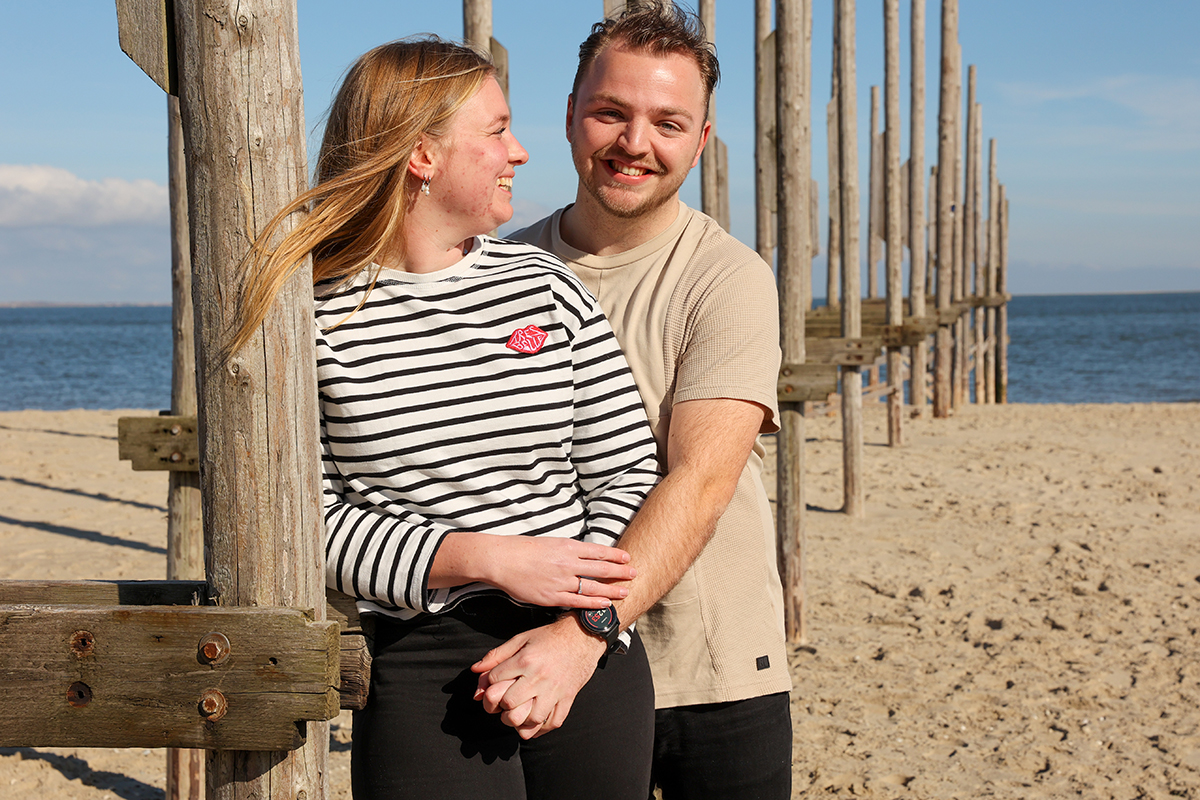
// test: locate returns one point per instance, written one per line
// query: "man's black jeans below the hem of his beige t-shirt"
(718, 751)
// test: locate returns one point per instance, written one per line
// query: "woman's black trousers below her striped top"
(424, 736)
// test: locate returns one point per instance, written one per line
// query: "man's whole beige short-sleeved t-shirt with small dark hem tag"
(698, 316)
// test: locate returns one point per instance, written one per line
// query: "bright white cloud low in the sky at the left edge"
(34, 195)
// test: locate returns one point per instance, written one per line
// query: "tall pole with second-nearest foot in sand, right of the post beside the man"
(851, 279)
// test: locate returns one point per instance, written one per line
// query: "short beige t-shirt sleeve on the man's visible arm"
(730, 333)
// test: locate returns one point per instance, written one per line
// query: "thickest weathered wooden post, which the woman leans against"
(243, 118)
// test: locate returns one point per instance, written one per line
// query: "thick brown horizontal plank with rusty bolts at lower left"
(164, 677)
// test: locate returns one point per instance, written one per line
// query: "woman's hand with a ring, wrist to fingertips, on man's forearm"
(561, 573)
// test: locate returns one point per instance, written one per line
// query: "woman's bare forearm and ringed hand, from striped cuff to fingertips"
(538, 570)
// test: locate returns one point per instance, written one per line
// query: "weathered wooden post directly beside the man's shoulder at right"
(795, 258)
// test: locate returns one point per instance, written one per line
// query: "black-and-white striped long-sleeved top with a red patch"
(490, 396)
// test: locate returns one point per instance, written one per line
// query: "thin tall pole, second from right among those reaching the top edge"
(917, 242)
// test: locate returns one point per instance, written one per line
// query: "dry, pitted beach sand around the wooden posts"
(1015, 618)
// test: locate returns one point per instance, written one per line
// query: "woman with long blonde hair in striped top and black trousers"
(484, 446)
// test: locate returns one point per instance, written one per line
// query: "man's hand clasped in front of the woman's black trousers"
(532, 679)
